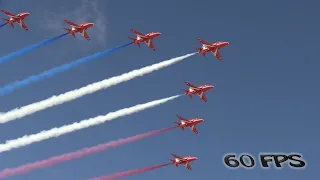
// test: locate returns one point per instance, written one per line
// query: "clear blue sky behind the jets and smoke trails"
(265, 97)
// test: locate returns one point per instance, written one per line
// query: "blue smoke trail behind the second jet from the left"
(29, 48)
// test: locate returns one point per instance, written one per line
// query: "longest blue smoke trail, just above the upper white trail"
(19, 84)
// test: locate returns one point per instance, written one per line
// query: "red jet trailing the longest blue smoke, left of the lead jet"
(147, 38)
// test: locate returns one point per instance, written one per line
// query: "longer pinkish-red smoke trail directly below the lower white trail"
(77, 154)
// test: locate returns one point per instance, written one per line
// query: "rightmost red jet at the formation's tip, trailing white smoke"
(214, 48)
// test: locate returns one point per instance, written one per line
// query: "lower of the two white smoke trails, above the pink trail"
(59, 131)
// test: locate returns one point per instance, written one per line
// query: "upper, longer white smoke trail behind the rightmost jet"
(89, 89)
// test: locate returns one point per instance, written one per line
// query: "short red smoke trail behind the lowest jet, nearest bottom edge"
(130, 172)
